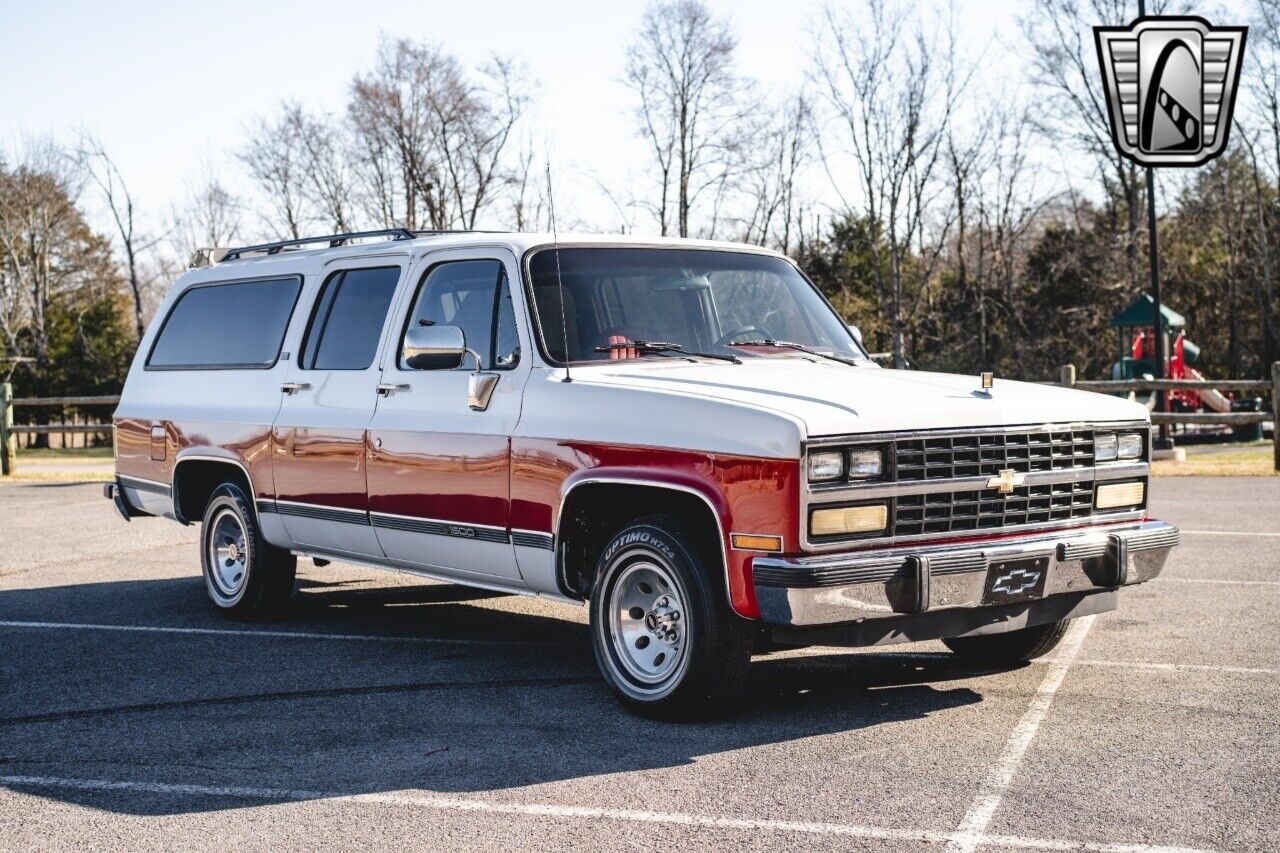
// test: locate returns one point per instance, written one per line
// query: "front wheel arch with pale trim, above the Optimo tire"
(605, 501)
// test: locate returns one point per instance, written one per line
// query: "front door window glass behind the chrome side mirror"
(474, 297)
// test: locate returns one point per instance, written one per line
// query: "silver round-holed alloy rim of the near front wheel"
(648, 623)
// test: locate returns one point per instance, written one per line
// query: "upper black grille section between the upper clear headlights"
(947, 458)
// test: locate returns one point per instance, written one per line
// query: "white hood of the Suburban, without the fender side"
(831, 399)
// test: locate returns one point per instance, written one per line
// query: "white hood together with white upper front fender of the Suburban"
(767, 407)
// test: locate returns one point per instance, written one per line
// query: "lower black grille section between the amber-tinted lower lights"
(988, 510)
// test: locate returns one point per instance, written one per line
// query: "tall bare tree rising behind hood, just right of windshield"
(893, 92)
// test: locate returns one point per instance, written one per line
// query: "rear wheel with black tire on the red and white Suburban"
(246, 577)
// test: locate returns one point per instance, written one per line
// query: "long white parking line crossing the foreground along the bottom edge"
(548, 810)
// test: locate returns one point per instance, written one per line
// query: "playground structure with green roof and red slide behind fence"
(1139, 362)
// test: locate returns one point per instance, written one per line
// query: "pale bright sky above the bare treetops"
(171, 88)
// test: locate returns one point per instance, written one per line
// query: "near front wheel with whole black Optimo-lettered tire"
(712, 645)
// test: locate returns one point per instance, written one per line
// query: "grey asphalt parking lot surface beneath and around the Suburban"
(387, 713)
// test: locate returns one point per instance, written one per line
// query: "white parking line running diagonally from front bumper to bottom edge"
(973, 828)
